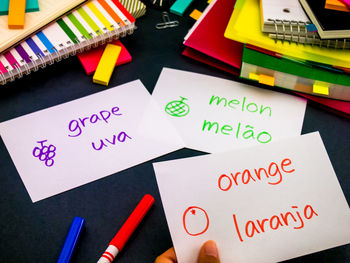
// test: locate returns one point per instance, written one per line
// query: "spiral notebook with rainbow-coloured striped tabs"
(94, 23)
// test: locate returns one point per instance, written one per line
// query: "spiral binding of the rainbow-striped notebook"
(71, 50)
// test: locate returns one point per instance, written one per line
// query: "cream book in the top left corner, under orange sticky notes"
(49, 11)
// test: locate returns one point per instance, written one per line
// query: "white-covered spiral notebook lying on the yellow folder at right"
(287, 21)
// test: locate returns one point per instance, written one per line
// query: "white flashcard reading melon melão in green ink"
(216, 115)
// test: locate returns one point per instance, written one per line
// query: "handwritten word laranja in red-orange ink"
(293, 218)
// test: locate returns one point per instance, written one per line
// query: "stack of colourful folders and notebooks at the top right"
(300, 46)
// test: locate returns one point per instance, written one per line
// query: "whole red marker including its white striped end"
(118, 242)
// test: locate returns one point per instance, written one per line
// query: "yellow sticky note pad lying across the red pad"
(106, 65)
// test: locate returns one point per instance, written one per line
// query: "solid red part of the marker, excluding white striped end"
(132, 222)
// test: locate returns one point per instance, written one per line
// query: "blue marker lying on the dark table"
(71, 240)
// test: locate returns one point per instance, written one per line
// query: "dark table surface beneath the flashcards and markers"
(35, 232)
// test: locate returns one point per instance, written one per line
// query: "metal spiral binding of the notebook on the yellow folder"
(296, 31)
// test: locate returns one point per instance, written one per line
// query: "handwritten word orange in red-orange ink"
(273, 174)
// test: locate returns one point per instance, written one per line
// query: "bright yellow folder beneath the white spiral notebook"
(245, 26)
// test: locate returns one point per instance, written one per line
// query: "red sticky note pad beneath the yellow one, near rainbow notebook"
(90, 59)
